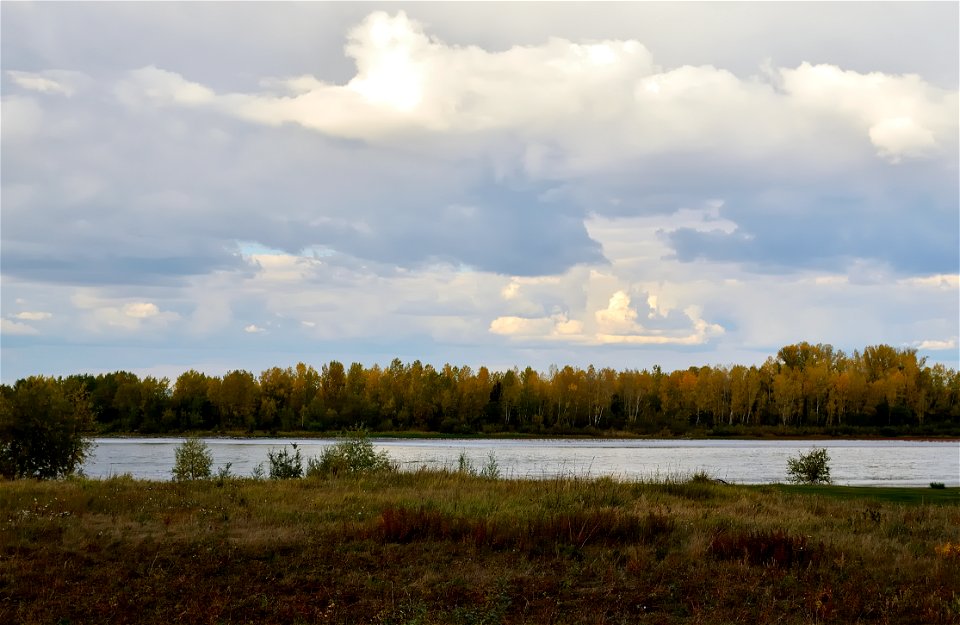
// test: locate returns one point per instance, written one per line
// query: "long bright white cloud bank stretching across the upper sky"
(585, 106)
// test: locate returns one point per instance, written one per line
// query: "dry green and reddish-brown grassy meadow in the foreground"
(446, 547)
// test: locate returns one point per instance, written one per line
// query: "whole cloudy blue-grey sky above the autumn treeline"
(221, 186)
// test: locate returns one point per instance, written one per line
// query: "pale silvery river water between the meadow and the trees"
(852, 462)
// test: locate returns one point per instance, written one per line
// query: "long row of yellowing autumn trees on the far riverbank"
(804, 389)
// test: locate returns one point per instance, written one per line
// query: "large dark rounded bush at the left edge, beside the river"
(43, 426)
